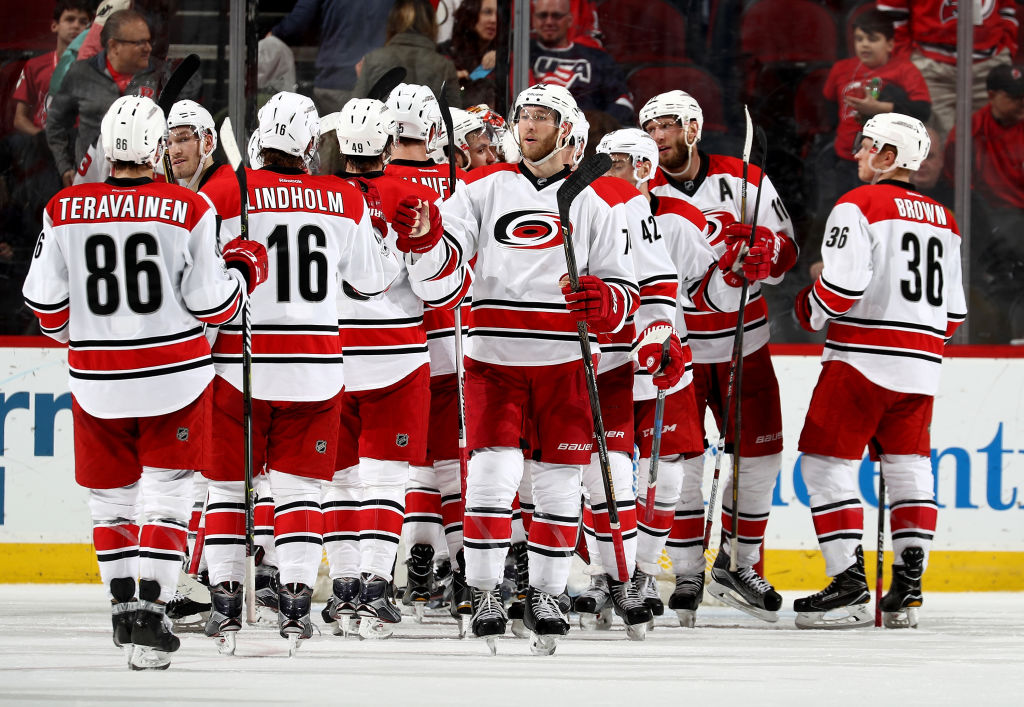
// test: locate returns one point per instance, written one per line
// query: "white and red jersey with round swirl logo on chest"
(509, 220)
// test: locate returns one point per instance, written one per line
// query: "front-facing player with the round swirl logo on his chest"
(524, 373)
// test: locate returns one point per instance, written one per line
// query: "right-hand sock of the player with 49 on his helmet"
(382, 514)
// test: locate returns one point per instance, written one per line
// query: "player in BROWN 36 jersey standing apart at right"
(891, 296)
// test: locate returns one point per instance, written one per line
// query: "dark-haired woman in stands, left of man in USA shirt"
(473, 51)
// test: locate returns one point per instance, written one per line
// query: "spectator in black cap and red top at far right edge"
(998, 207)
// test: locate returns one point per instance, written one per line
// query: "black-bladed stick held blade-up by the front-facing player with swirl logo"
(590, 170)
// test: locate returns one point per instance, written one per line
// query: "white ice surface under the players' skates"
(56, 646)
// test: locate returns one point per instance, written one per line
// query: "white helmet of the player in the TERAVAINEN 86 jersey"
(134, 131)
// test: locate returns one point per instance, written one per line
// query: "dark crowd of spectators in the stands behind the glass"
(795, 63)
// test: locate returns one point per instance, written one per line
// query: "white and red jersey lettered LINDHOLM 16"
(320, 241)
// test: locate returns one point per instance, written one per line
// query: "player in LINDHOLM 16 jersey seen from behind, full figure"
(319, 232)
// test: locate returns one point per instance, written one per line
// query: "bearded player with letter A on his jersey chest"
(713, 184)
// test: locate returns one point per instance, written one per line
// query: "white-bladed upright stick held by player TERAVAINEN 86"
(235, 157)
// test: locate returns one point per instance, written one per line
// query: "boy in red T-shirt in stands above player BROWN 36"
(874, 81)
